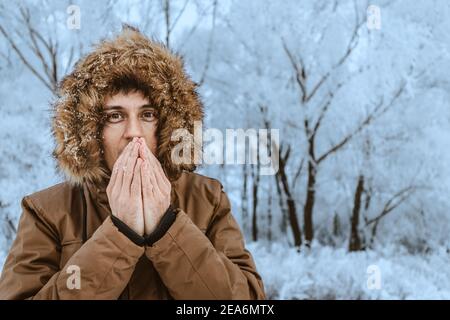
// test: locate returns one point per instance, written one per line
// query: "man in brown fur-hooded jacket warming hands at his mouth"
(129, 223)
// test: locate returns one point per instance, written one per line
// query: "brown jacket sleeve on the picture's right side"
(215, 265)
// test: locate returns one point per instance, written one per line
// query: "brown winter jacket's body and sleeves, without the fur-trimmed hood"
(201, 256)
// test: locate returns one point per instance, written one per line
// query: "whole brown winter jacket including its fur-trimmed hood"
(200, 256)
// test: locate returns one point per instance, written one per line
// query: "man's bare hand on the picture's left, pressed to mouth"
(125, 188)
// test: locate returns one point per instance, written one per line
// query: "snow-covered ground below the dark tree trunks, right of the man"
(330, 273)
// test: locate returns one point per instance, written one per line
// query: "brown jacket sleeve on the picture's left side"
(104, 263)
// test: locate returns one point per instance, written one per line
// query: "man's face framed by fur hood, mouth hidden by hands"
(127, 116)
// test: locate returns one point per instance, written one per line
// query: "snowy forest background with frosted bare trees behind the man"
(363, 184)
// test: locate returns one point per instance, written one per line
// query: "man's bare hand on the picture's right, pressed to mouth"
(156, 189)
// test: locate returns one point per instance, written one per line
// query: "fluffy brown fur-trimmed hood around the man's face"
(78, 115)
